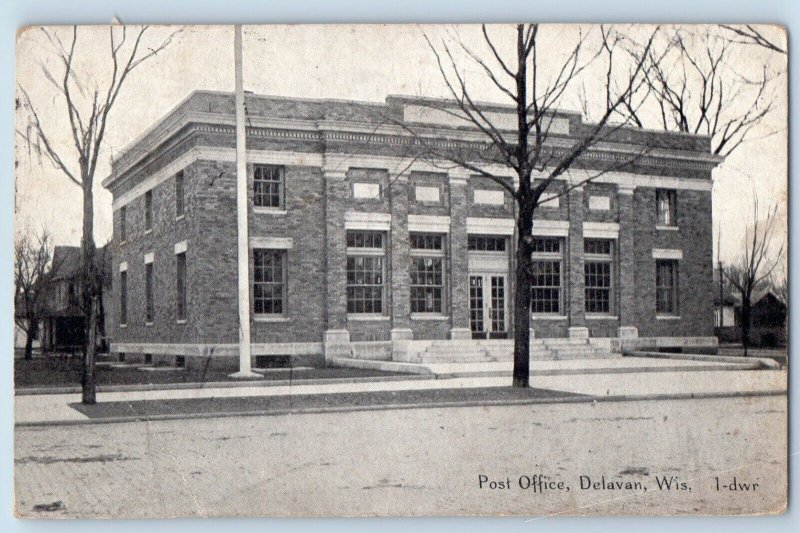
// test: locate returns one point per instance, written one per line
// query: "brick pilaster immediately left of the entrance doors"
(459, 271)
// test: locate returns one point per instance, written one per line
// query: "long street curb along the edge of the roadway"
(429, 405)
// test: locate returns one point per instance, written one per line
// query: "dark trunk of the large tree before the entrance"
(522, 299)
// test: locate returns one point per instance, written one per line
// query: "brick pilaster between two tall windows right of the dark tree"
(575, 271)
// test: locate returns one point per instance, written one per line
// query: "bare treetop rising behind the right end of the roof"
(696, 90)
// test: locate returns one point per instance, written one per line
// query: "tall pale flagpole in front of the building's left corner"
(243, 244)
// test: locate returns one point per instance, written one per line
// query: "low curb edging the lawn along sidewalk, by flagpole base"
(32, 391)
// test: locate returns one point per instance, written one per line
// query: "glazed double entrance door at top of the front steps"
(487, 306)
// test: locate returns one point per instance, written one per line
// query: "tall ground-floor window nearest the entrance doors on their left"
(427, 273)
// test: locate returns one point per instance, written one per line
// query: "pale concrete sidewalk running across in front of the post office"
(689, 378)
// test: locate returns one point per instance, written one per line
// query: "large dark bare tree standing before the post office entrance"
(528, 151)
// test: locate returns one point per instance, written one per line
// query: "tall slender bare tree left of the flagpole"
(88, 111)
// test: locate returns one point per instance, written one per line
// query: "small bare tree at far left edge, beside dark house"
(31, 261)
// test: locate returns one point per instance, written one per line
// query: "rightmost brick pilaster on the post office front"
(627, 264)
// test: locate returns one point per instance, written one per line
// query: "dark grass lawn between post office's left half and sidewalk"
(55, 371)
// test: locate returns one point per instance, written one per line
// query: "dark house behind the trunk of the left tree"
(63, 321)
